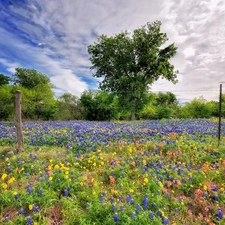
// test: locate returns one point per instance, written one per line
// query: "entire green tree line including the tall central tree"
(128, 63)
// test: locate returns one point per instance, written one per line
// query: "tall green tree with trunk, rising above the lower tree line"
(130, 62)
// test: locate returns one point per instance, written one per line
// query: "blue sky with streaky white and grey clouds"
(52, 36)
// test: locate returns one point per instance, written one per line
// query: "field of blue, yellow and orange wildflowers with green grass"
(152, 172)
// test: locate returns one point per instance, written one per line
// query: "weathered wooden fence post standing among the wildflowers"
(19, 130)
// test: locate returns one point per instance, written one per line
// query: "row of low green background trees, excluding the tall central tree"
(39, 103)
